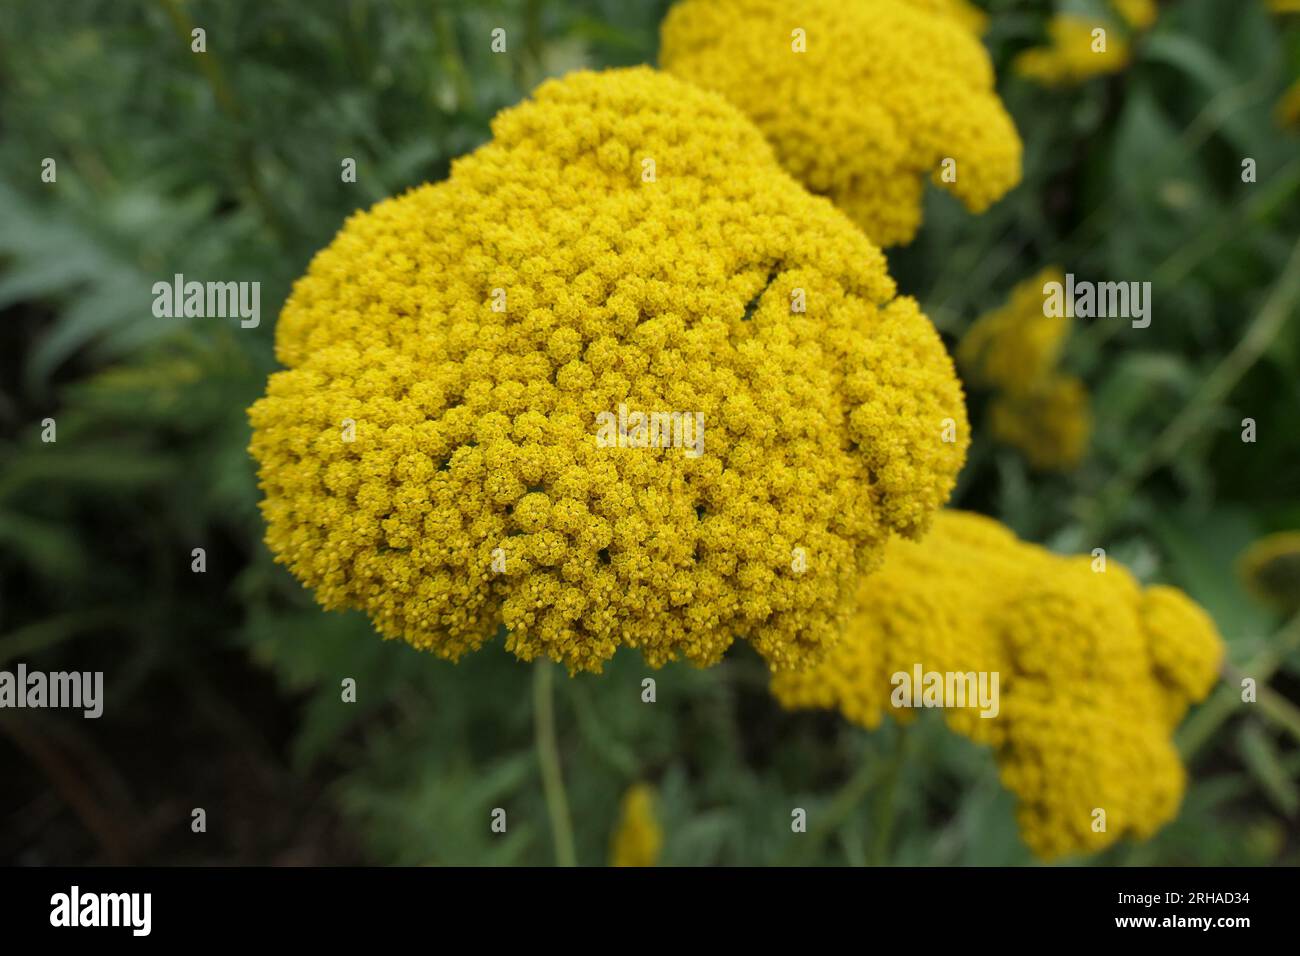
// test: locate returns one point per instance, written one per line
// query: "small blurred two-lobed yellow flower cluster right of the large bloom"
(1015, 352)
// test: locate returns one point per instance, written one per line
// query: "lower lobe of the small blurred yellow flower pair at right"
(1050, 425)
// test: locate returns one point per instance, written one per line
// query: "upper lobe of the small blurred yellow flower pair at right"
(1017, 347)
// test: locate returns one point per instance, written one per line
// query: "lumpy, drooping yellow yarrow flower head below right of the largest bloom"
(1095, 673)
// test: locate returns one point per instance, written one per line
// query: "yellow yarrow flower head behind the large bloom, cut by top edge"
(883, 93)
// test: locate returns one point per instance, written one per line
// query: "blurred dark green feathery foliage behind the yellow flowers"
(224, 687)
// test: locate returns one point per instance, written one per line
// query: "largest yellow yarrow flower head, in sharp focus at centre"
(626, 239)
